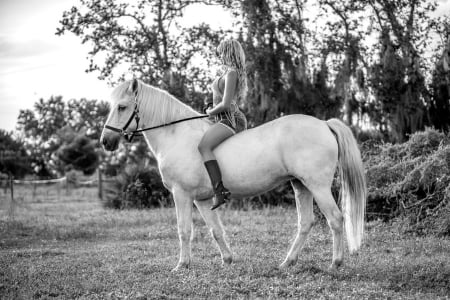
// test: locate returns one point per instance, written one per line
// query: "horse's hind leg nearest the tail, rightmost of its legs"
(329, 208)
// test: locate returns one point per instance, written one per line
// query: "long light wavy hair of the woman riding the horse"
(233, 56)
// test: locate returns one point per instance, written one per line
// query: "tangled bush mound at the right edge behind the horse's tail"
(411, 181)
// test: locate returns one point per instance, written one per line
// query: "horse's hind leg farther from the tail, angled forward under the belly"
(304, 203)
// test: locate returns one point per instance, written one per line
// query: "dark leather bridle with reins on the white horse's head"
(129, 135)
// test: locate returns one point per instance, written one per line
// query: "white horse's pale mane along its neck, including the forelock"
(156, 106)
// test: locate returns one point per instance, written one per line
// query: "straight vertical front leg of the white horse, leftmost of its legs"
(183, 205)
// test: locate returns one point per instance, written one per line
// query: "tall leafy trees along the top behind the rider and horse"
(364, 60)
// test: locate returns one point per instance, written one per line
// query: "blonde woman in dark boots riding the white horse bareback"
(229, 90)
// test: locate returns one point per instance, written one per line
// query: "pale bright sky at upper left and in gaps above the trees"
(35, 63)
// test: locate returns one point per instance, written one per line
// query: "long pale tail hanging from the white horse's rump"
(353, 184)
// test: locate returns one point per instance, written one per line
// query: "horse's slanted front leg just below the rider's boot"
(212, 220)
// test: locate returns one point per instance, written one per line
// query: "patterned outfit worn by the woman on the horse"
(233, 117)
